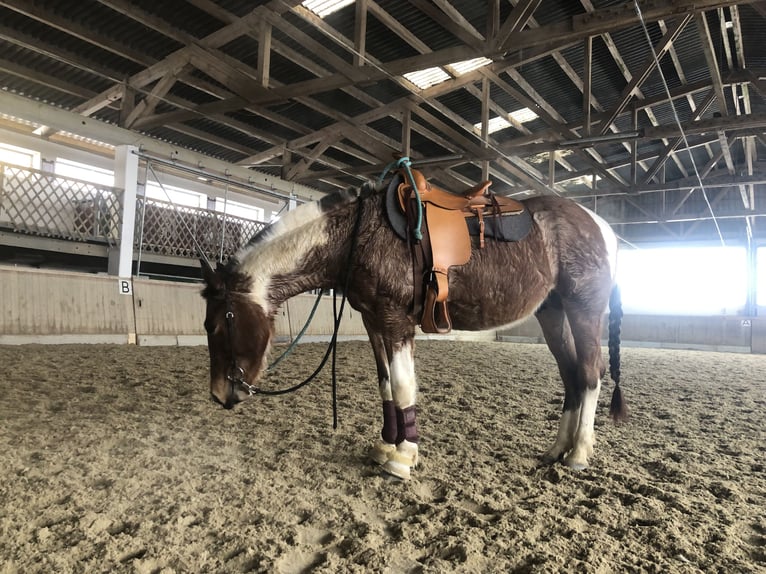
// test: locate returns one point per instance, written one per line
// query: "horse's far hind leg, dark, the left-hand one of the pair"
(558, 336)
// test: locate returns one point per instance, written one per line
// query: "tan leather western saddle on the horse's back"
(445, 238)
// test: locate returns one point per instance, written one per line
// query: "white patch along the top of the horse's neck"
(282, 248)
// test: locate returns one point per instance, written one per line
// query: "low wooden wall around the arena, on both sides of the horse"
(38, 306)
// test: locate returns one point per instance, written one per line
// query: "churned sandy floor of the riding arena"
(113, 459)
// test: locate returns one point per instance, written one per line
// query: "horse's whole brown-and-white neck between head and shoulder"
(292, 260)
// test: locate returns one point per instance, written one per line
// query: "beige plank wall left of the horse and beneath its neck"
(40, 306)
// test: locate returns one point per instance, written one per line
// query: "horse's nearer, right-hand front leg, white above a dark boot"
(403, 394)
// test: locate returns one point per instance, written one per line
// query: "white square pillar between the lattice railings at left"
(125, 178)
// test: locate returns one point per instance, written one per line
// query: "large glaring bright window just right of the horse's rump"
(683, 281)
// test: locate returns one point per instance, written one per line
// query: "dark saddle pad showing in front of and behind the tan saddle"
(504, 227)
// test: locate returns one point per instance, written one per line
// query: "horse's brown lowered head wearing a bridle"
(238, 334)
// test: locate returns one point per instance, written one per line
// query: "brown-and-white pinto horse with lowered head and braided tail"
(563, 272)
